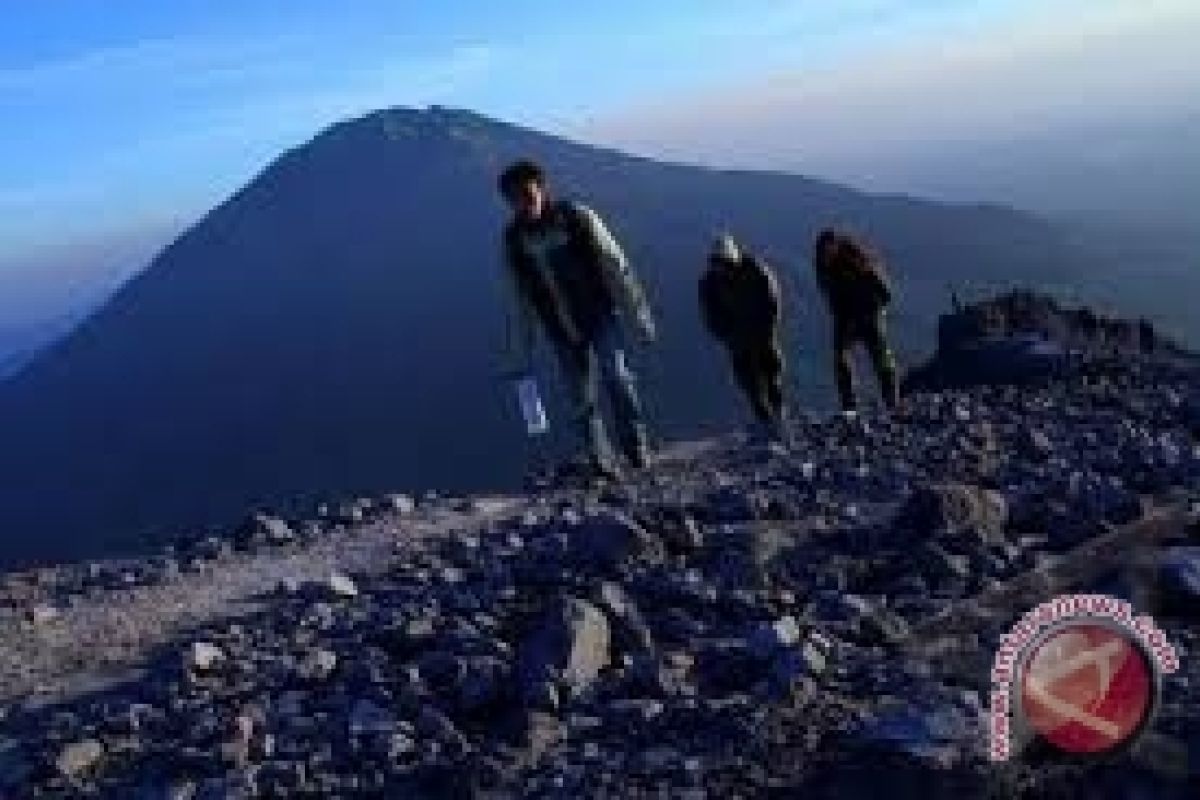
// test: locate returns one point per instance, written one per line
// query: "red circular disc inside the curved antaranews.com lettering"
(1088, 688)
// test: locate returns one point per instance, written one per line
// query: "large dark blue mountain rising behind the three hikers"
(333, 327)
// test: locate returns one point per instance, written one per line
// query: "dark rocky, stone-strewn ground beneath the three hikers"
(815, 621)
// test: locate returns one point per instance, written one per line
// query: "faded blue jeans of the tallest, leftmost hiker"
(601, 365)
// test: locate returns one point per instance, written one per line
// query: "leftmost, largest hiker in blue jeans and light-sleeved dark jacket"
(568, 274)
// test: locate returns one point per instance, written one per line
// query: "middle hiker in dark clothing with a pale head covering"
(741, 308)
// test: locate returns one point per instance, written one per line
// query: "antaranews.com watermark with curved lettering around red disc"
(1082, 673)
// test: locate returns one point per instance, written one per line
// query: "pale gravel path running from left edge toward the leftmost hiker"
(104, 636)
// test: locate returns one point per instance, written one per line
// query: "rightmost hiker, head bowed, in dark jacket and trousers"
(859, 293)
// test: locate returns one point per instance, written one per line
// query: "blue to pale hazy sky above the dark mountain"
(125, 121)
